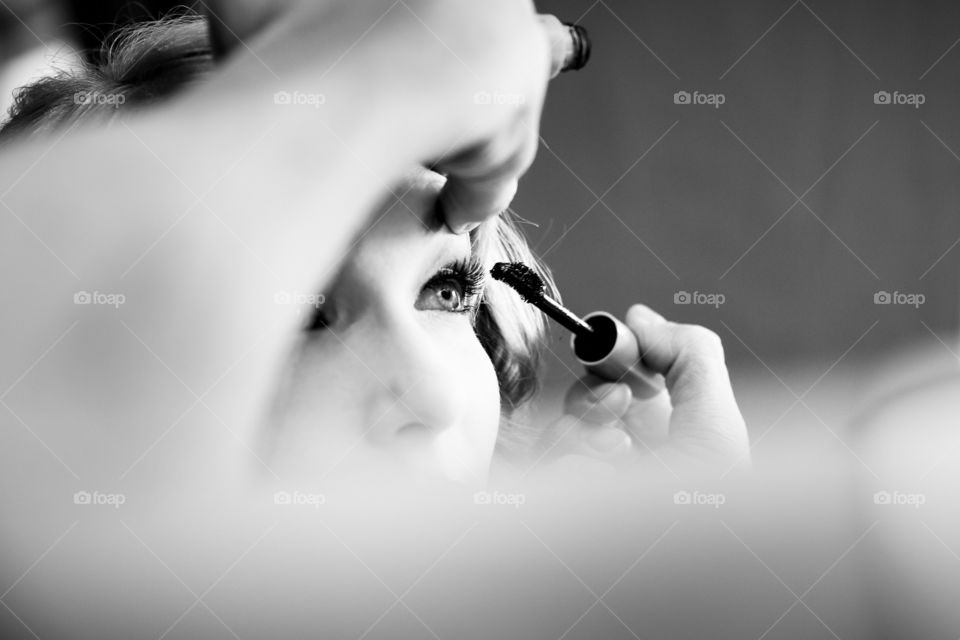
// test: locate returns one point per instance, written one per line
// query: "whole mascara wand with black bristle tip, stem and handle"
(602, 344)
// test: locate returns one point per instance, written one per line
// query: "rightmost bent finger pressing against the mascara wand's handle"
(705, 415)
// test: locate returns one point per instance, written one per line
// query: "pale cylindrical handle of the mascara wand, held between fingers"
(611, 352)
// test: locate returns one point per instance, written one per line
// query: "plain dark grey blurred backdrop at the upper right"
(691, 208)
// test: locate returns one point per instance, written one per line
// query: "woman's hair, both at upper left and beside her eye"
(146, 63)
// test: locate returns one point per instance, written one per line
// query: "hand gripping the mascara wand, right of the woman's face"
(696, 424)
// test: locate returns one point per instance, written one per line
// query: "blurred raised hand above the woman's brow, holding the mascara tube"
(467, 79)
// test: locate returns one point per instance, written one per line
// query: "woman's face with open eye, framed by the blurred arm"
(391, 379)
